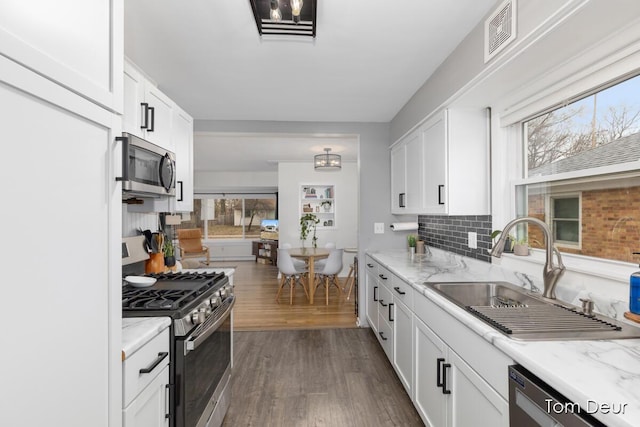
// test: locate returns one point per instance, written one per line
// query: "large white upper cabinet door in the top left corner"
(76, 44)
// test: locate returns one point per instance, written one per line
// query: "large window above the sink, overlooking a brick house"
(582, 173)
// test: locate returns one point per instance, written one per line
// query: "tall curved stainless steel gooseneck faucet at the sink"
(551, 273)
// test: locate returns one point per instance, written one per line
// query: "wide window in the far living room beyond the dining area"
(231, 217)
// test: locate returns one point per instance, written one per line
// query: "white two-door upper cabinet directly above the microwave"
(148, 111)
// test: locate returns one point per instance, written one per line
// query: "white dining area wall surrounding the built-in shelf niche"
(291, 176)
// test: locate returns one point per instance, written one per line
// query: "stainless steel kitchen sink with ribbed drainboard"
(523, 315)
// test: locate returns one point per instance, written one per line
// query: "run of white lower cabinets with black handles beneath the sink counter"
(453, 376)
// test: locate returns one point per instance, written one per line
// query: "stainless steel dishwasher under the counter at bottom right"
(533, 403)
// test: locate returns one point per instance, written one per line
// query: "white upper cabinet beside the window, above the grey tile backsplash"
(442, 167)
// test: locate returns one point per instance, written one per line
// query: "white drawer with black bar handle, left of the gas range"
(134, 381)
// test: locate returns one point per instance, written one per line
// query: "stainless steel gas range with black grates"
(200, 306)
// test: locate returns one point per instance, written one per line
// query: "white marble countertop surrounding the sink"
(590, 373)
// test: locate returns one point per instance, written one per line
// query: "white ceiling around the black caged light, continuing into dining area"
(368, 59)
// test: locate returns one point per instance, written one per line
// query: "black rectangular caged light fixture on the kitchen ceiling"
(285, 17)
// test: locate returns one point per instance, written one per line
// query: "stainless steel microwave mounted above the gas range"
(147, 169)
